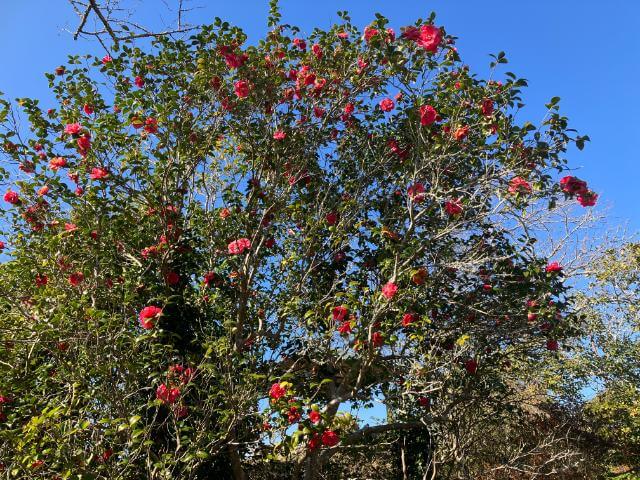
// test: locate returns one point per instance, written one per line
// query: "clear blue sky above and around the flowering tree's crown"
(585, 51)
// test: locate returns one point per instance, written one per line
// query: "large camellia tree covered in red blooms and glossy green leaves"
(215, 253)
